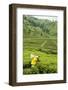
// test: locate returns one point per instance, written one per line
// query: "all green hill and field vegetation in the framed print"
(40, 38)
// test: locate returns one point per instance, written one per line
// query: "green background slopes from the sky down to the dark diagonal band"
(40, 34)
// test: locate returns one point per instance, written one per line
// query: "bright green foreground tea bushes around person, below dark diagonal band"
(47, 64)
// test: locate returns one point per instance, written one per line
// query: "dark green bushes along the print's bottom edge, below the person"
(41, 69)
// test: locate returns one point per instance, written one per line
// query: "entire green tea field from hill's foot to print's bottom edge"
(47, 56)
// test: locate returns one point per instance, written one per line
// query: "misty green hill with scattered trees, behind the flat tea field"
(43, 28)
